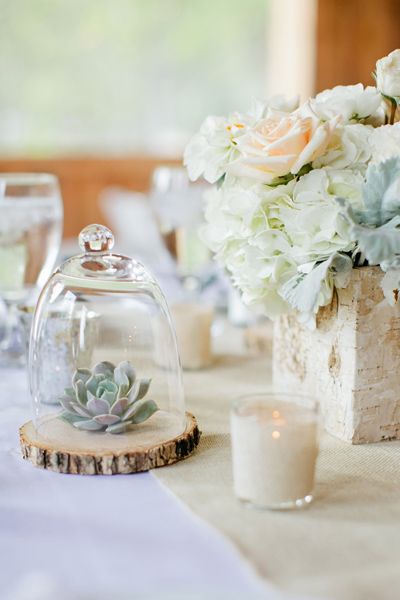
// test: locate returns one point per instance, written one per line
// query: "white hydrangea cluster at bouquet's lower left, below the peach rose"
(244, 231)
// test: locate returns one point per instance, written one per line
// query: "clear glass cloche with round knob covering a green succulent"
(104, 365)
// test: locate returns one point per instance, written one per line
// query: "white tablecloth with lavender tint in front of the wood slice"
(72, 537)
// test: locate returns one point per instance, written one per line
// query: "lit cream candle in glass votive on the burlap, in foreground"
(274, 449)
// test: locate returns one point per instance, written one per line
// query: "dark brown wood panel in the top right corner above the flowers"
(351, 36)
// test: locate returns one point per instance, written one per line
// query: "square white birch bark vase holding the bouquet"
(351, 361)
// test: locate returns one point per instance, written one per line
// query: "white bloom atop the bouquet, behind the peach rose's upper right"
(352, 102)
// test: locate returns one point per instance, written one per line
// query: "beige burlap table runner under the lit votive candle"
(344, 546)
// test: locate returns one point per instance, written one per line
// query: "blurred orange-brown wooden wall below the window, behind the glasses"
(83, 179)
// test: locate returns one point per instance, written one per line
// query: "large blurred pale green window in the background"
(124, 75)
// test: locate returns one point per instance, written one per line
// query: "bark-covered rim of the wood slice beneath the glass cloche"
(48, 454)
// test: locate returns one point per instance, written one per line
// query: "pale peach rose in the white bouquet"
(281, 144)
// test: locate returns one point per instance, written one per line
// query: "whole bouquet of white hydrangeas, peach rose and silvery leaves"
(305, 193)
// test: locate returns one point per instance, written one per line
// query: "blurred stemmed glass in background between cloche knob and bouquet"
(178, 204)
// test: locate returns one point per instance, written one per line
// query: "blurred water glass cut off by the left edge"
(30, 237)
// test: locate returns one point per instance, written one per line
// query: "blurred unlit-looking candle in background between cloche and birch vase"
(193, 331)
